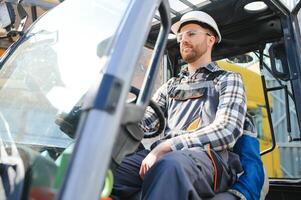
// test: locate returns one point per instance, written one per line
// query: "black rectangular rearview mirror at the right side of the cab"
(278, 61)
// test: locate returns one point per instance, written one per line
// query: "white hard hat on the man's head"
(198, 16)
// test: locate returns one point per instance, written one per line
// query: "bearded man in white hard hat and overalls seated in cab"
(205, 109)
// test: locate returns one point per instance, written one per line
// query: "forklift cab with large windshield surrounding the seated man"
(74, 57)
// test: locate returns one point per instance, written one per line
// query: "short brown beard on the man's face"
(192, 53)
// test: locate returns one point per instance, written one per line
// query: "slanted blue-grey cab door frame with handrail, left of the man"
(105, 109)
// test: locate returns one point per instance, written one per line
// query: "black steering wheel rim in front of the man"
(158, 112)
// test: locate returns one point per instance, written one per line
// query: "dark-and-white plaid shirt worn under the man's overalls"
(223, 130)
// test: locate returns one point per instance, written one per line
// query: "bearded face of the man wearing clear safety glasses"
(194, 42)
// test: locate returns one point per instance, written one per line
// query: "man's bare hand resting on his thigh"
(153, 156)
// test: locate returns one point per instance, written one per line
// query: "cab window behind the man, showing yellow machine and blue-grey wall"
(281, 162)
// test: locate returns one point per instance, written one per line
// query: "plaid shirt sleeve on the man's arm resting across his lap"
(227, 126)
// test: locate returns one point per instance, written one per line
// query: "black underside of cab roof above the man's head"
(242, 30)
